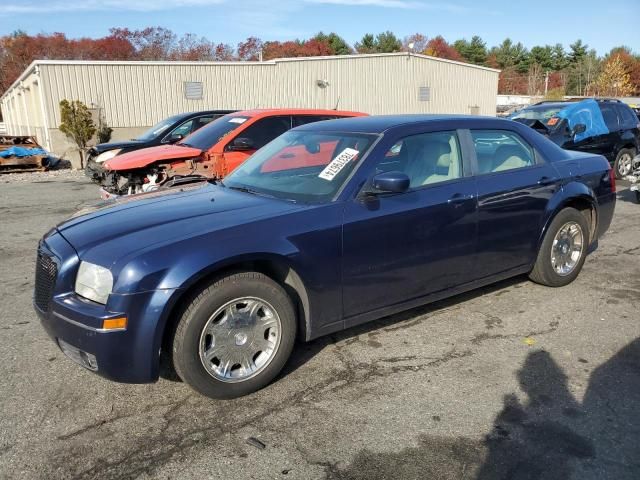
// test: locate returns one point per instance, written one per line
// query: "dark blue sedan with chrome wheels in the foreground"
(330, 225)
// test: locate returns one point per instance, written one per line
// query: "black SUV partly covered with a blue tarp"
(618, 140)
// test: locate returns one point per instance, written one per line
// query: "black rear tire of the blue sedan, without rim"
(543, 271)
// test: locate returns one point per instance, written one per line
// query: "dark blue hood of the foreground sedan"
(113, 229)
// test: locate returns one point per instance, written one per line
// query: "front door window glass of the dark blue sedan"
(426, 158)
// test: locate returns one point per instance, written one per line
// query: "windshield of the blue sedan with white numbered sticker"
(302, 166)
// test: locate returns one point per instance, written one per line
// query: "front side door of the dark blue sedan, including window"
(405, 246)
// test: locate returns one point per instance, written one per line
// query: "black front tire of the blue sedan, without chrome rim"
(186, 341)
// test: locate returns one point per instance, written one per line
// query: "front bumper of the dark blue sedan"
(130, 354)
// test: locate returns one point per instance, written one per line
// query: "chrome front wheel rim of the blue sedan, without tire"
(240, 339)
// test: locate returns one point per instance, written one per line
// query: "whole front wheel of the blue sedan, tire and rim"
(235, 336)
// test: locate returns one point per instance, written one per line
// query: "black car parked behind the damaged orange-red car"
(168, 131)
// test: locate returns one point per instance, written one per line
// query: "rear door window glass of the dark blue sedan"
(499, 150)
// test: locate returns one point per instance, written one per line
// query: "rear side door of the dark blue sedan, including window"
(514, 187)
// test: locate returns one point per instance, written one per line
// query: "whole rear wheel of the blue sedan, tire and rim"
(563, 249)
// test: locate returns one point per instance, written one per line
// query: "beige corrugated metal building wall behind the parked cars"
(135, 95)
